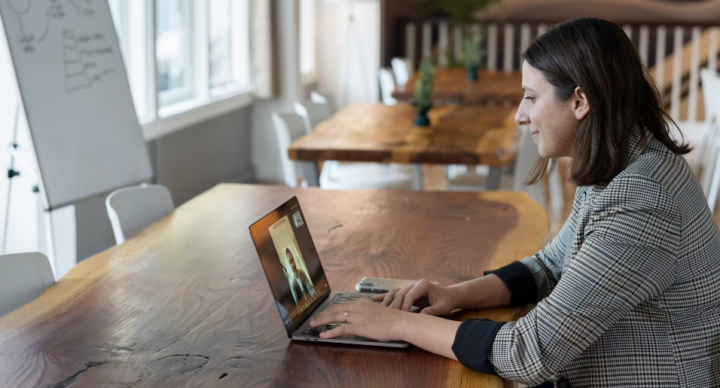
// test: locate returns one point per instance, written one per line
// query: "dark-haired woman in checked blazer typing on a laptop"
(628, 293)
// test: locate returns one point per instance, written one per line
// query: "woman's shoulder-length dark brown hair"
(598, 57)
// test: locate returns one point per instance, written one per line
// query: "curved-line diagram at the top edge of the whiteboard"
(50, 10)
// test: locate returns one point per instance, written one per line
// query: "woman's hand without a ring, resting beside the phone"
(441, 300)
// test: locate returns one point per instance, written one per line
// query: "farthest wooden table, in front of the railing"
(452, 86)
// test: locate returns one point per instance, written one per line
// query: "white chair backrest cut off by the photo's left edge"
(23, 277)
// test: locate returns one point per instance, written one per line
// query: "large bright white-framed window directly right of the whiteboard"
(182, 55)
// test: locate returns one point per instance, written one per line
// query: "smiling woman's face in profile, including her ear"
(553, 123)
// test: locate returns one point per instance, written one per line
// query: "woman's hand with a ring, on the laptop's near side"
(365, 319)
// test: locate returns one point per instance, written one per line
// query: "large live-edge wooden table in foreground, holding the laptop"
(186, 304)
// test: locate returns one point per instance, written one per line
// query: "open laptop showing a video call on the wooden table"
(296, 277)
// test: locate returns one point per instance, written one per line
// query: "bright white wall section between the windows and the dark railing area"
(348, 51)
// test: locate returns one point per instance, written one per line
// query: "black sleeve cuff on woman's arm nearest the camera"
(473, 344)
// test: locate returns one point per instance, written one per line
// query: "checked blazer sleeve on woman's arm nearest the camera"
(628, 256)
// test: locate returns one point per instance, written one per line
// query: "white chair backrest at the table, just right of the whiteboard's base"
(132, 209)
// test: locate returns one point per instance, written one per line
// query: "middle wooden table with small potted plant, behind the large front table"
(367, 132)
